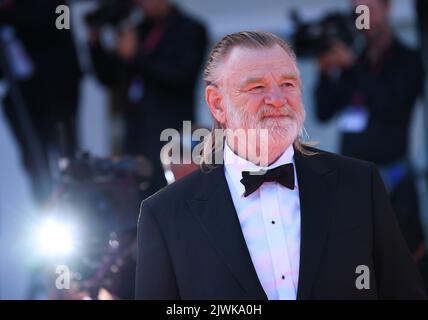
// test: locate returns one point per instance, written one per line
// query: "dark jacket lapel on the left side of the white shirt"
(214, 209)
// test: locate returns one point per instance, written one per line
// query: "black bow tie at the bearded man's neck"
(253, 180)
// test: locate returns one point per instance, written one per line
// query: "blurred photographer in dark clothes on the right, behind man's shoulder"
(373, 92)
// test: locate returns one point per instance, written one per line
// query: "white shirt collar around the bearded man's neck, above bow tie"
(234, 165)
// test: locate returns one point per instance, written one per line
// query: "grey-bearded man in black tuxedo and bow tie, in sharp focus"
(313, 225)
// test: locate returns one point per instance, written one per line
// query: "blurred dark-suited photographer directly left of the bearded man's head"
(152, 68)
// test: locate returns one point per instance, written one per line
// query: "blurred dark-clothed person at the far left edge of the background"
(41, 69)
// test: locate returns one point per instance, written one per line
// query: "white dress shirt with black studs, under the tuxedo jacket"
(270, 223)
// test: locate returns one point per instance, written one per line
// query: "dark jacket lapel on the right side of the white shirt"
(317, 182)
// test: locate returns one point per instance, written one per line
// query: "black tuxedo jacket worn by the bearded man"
(190, 243)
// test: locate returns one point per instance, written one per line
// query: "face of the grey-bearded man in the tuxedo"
(261, 90)
